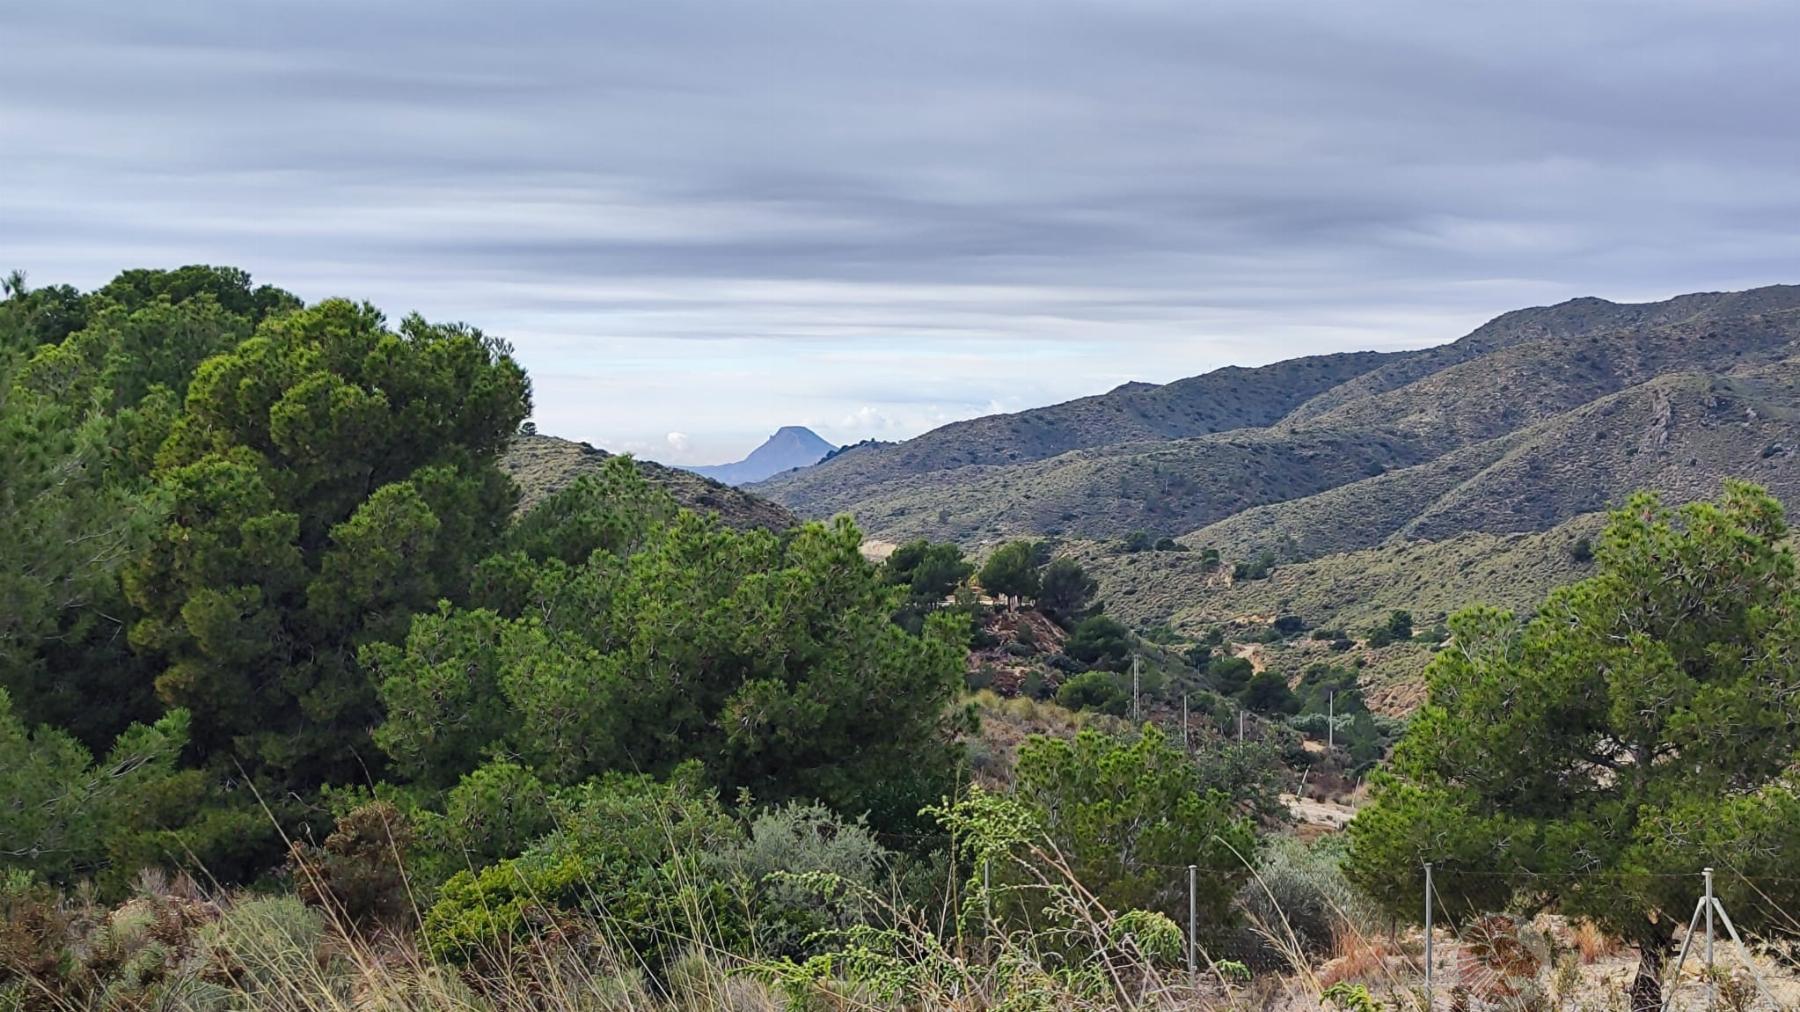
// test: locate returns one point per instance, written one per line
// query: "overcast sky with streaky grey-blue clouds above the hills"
(703, 221)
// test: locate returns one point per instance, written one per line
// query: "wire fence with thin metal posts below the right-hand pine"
(1525, 955)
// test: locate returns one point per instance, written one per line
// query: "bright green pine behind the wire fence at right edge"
(1639, 727)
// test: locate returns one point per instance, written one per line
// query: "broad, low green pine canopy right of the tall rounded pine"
(771, 660)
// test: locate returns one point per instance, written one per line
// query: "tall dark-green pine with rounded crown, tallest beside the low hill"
(327, 480)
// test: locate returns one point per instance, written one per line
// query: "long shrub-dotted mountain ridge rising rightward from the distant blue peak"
(1365, 415)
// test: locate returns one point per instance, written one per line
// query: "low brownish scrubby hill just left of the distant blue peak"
(544, 464)
